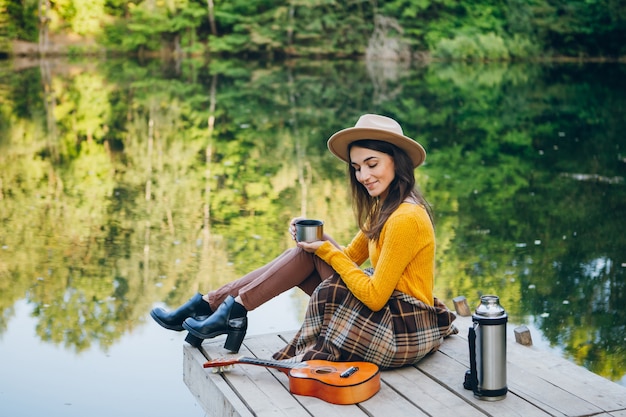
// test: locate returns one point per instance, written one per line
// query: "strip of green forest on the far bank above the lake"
(396, 29)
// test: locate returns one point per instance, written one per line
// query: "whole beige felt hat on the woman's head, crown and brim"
(374, 126)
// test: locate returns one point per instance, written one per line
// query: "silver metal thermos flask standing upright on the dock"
(487, 346)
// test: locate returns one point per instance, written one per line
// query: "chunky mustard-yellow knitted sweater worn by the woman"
(403, 259)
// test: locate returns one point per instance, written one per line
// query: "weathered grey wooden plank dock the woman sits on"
(539, 383)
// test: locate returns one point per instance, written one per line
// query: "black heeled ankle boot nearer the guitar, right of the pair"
(229, 318)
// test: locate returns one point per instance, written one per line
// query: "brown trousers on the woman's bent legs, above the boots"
(293, 268)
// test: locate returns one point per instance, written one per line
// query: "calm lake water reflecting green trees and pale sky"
(127, 185)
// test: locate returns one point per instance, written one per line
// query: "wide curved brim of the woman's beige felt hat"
(338, 143)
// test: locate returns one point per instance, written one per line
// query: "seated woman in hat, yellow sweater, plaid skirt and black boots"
(388, 314)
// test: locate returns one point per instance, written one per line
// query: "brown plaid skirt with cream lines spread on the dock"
(338, 327)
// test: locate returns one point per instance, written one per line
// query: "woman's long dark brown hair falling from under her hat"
(371, 214)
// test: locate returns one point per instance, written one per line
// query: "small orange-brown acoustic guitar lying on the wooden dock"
(333, 382)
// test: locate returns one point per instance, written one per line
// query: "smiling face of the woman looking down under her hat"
(374, 169)
